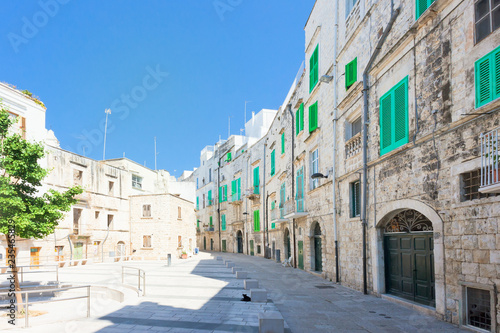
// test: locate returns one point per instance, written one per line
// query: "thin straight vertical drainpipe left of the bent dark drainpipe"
(335, 109)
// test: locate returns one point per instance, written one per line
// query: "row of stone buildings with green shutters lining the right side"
(399, 101)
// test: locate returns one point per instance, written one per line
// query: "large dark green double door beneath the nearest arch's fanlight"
(410, 266)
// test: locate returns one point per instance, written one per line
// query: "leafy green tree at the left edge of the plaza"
(24, 211)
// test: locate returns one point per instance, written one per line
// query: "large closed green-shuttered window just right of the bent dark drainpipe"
(394, 117)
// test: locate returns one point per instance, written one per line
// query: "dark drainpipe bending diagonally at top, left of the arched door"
(364, 119)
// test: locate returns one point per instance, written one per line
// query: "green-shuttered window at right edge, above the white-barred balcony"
(487, 77)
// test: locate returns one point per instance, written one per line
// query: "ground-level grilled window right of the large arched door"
(478, 308)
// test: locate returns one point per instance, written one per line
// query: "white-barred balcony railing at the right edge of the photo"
(490, 162)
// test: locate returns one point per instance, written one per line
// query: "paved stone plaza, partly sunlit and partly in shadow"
(201, 295)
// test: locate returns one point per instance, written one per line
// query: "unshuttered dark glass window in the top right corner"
(487, 18)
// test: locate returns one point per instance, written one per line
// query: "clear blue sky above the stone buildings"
(171, 69)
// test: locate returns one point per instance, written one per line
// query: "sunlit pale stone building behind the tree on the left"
(99, 225)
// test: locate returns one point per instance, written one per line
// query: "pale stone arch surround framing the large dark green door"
(387, 212)
